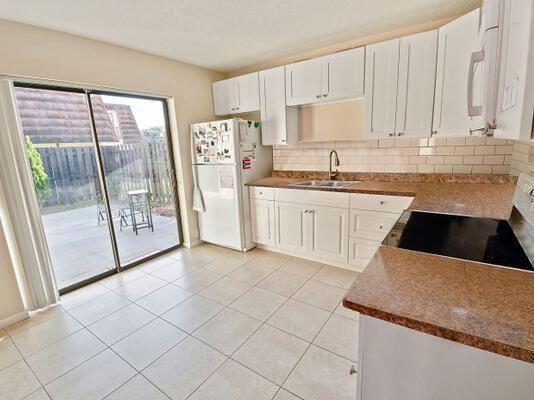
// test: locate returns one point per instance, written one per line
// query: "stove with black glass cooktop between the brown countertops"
(504, 243)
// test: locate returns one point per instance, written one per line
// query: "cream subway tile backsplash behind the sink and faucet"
(477, 155)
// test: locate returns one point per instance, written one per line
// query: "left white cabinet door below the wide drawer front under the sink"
(291, 227)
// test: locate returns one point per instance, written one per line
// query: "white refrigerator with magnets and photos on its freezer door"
(226, 155)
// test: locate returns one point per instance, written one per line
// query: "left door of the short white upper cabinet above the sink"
(303, 82)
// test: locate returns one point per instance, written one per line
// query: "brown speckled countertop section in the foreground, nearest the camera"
(487, 307)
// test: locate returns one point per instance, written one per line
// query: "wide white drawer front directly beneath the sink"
(313, 197)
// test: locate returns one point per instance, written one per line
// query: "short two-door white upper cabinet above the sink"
(334, 77)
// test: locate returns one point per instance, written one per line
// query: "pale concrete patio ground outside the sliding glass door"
(80, 247)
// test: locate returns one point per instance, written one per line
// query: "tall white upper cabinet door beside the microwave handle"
(456, 42)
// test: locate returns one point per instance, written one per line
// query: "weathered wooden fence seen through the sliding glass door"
(73, 174)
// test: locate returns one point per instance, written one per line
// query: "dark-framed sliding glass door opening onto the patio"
(104, 179)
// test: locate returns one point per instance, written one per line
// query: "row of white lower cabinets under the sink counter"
(332, 227)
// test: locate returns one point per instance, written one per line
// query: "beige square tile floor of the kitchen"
(203, 323)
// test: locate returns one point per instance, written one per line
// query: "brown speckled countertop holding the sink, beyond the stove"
(488, 200)
